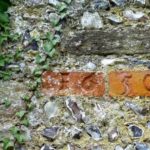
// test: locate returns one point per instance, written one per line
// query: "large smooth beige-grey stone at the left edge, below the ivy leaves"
(12, 91)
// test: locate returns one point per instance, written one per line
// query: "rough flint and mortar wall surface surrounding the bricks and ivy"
(119, 43)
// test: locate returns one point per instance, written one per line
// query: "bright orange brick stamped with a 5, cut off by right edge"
(129, 83)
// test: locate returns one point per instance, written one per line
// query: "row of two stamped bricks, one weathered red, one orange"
(123, 83)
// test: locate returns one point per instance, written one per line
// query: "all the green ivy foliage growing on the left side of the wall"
(51, 42)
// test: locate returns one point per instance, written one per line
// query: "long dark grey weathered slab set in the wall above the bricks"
(104, 42)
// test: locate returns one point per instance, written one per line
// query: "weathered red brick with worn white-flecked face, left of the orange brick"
(73, 83)
